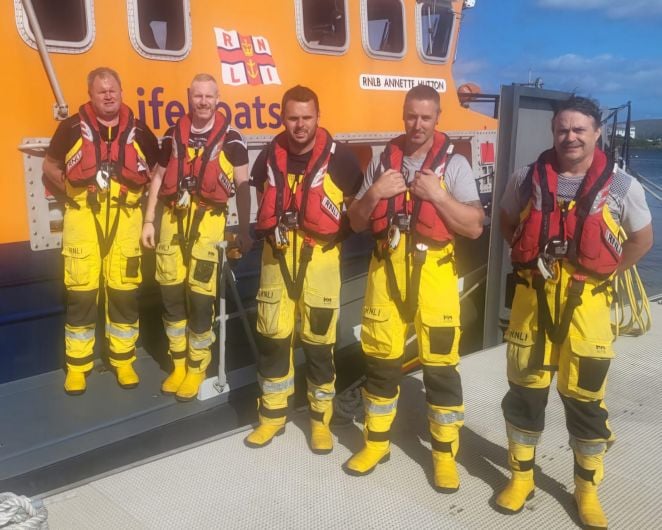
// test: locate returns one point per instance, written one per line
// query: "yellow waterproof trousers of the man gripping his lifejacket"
(437, 324)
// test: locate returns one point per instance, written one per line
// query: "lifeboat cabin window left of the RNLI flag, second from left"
(160, 29)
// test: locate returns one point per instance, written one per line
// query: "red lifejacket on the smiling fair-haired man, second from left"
(211, 183)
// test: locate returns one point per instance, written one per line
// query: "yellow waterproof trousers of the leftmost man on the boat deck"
(100, 235)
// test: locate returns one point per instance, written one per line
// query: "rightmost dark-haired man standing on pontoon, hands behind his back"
(561, 216)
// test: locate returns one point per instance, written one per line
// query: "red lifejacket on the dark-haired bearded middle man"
(318, 215)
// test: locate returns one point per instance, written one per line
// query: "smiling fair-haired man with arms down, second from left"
(203, 160)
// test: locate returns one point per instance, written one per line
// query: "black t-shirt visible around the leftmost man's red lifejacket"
(68, 133)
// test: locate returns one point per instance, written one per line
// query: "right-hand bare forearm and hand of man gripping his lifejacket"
(465, 219)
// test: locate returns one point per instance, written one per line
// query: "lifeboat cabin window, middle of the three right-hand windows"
(383, 25)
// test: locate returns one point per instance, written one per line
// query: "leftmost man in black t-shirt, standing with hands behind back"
(100, 159)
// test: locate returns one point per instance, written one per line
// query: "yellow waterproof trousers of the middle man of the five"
(317, 308)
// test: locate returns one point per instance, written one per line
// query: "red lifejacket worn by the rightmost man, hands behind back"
(592, 247)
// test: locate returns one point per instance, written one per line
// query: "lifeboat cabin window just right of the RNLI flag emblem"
(322, 26)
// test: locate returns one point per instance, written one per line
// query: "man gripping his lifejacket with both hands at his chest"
(415, 198)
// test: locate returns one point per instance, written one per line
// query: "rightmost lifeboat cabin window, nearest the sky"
(435, 21)
